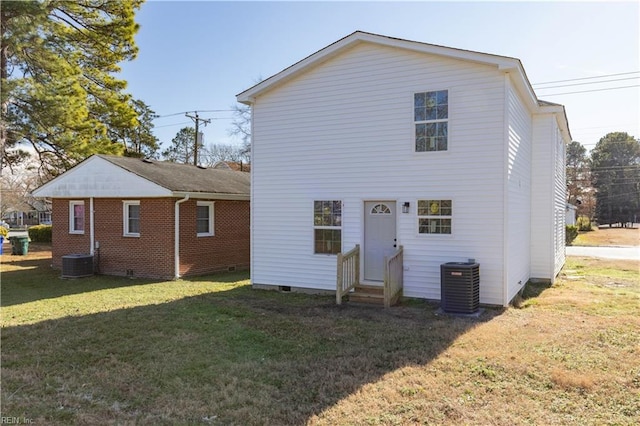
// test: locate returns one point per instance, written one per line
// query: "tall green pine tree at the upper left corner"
(59, 93)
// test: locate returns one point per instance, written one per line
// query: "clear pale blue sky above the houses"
(197, 55)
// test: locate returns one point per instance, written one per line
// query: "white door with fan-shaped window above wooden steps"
(379, 237)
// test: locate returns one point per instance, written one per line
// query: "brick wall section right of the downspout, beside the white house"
(227, 248)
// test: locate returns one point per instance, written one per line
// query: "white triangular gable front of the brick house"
(99, 178)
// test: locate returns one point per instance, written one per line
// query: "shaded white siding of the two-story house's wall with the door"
(360, 128)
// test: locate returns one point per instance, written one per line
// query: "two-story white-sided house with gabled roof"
(381, 142)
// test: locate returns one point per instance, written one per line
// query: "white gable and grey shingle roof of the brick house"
(104, 176)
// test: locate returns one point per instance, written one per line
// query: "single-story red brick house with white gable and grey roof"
(148, 218)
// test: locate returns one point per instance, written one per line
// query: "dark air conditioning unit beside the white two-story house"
(460, 287)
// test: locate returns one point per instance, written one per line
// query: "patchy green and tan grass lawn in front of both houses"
(211, 350)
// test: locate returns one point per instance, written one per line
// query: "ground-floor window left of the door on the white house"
(327, 227)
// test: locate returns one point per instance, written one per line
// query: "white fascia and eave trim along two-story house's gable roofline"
(501, 62)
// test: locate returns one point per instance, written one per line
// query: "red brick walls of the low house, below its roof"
(152, 253)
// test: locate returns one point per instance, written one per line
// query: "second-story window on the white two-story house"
(431, 120)
